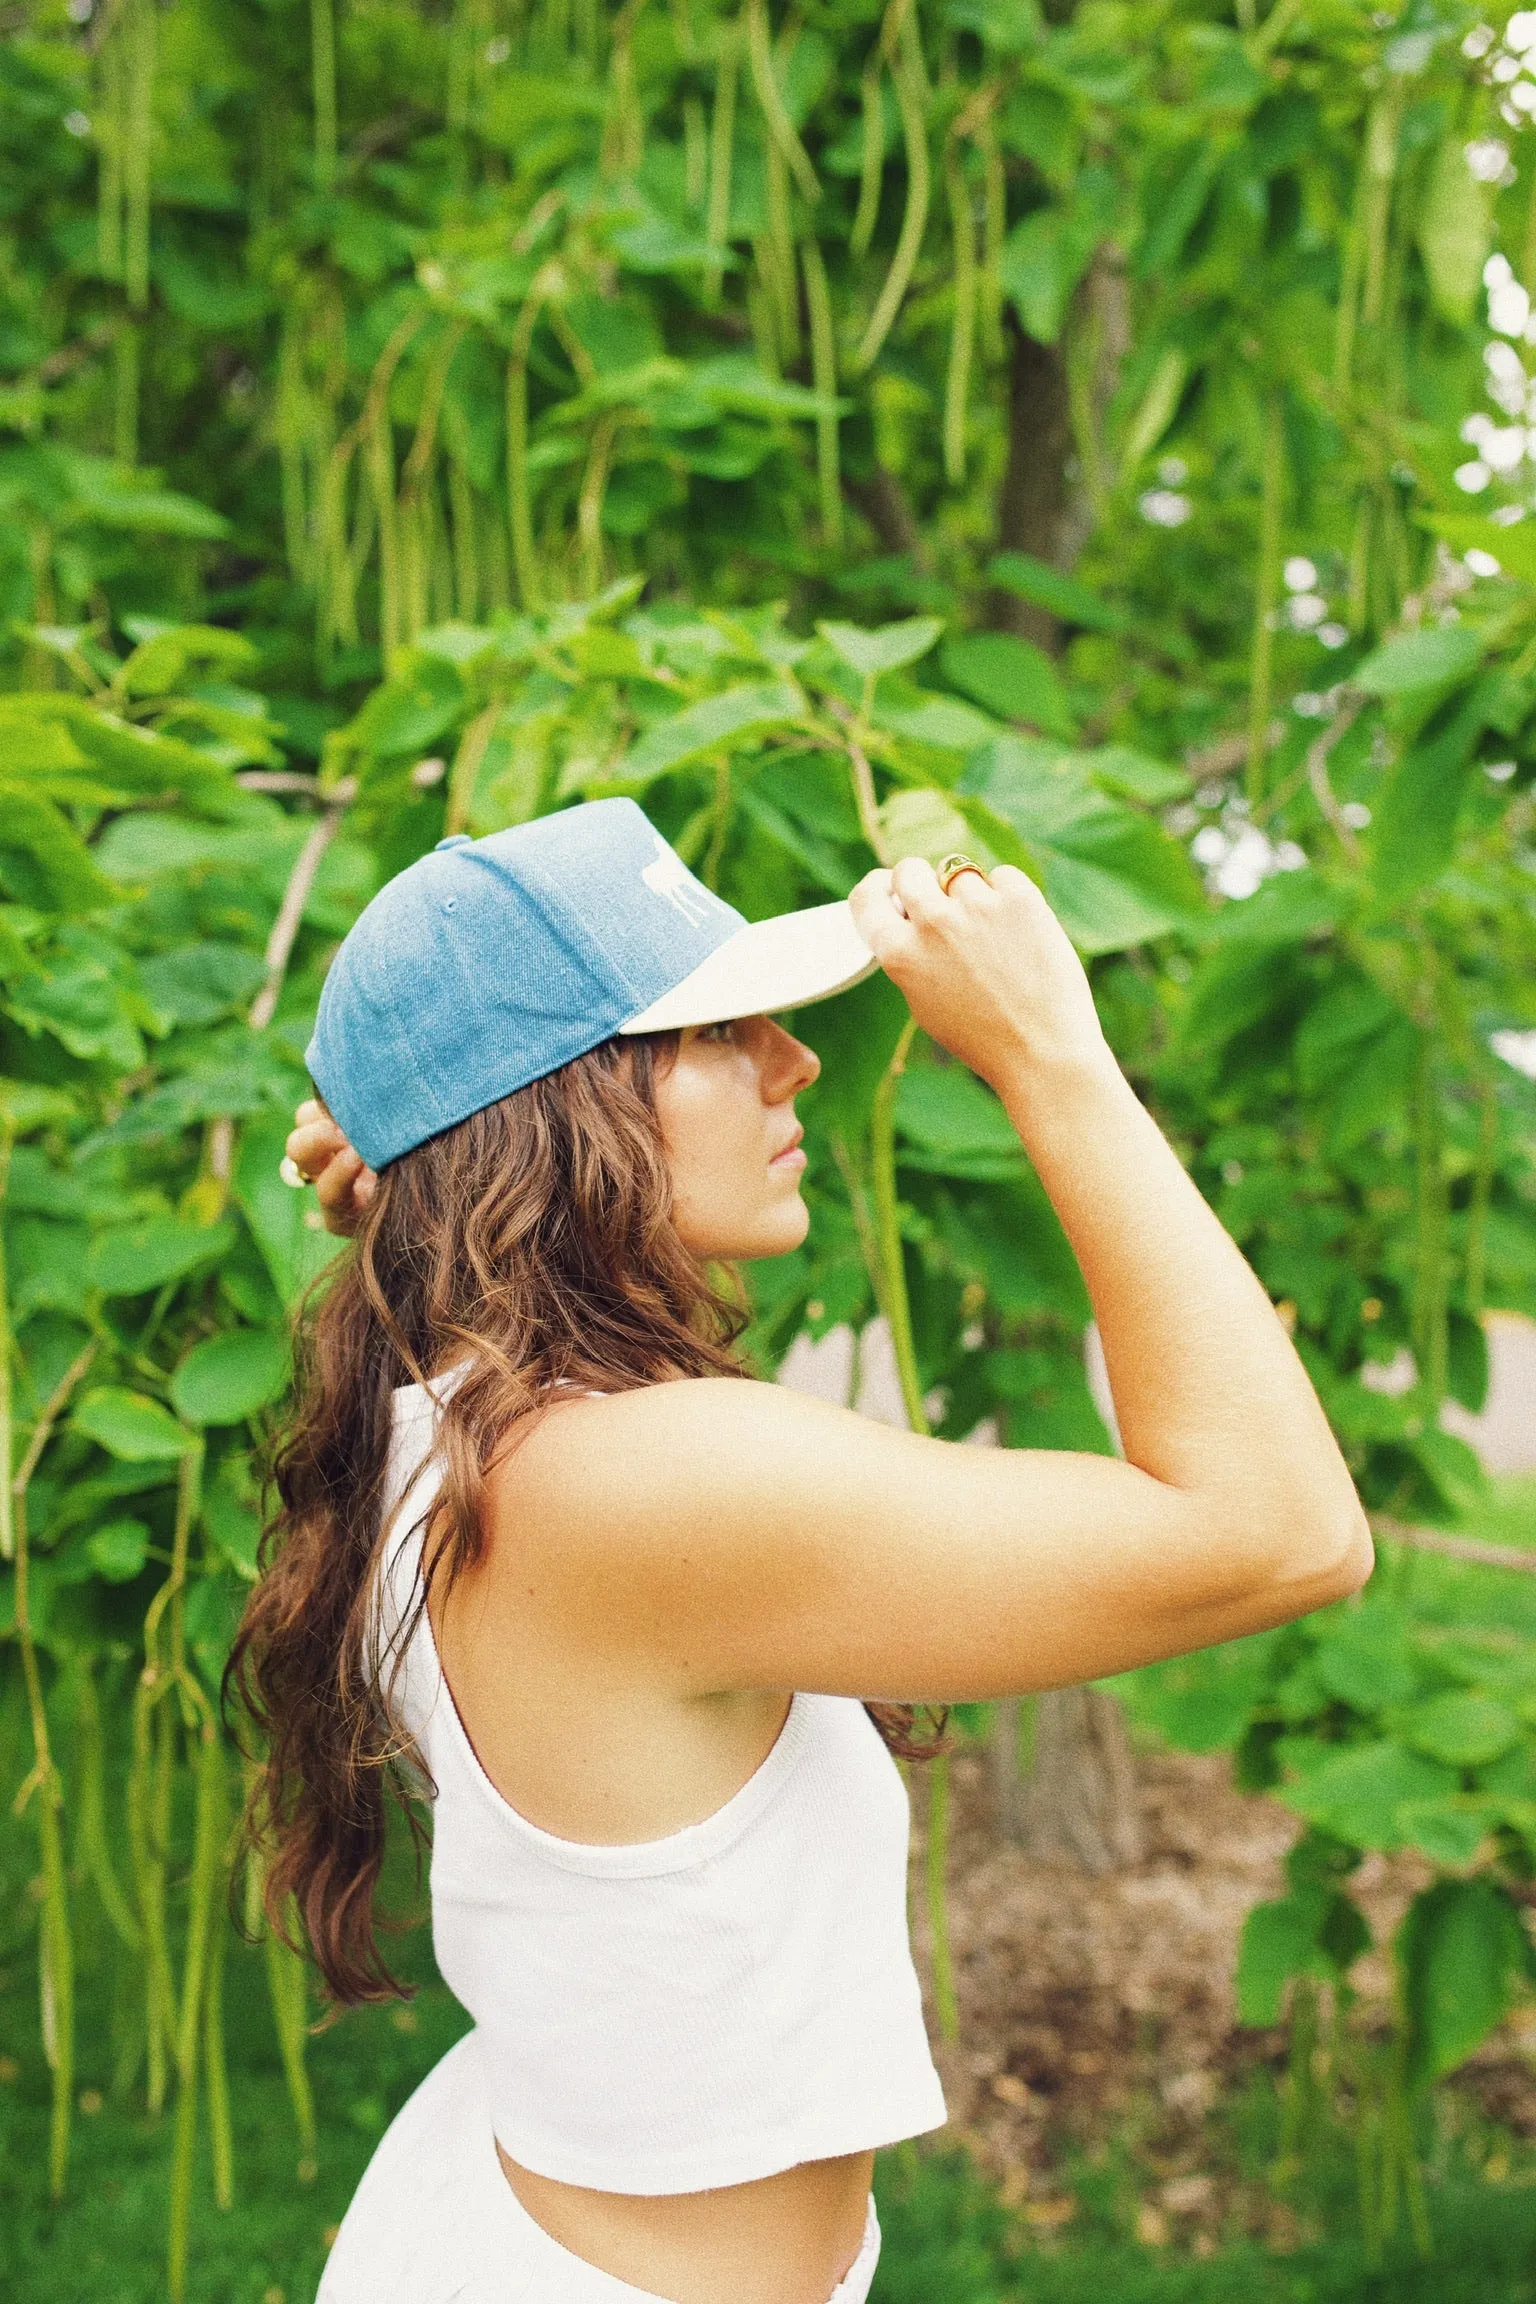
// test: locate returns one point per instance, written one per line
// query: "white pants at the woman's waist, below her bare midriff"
(436, 2222)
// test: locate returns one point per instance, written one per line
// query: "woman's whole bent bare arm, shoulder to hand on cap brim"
(738, 1536)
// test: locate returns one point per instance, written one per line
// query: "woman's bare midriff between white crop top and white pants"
(780, 2241)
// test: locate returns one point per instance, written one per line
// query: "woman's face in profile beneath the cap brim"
(727, 1107)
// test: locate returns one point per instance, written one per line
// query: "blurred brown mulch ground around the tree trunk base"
(1100, 2010)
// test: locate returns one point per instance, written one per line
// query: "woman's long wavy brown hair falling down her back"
(529, 1248)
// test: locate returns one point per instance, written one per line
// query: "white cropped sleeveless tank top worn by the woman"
(685, 2013)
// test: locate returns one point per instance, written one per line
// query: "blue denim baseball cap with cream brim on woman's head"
(487, 964)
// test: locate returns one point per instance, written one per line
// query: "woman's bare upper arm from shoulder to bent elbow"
(743, 1536)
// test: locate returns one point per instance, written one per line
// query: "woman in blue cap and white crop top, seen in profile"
(648, 1632)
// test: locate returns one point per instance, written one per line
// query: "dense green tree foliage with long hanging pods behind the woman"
(1086, 434)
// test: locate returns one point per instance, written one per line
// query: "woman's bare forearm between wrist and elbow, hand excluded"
(1208, 1386)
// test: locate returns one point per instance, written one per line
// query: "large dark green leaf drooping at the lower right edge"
(1461, 1953)
